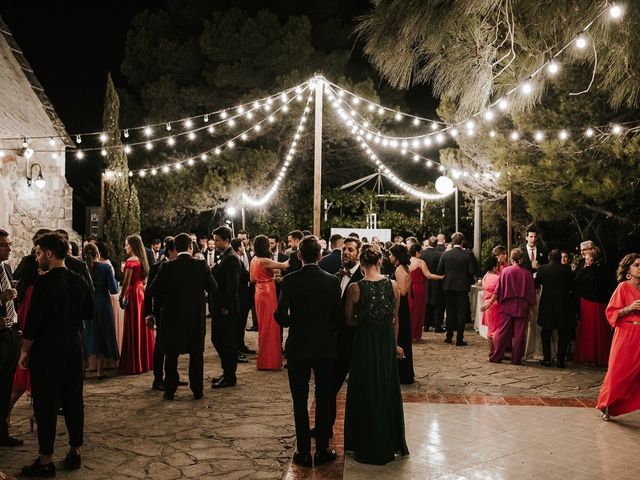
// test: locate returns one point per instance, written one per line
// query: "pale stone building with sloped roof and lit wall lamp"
(27, 113)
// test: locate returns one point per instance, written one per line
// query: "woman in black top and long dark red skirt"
(593, 334)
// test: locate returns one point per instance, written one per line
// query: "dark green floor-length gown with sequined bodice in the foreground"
(374, 419)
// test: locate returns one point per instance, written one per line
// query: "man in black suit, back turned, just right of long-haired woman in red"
(180, 284)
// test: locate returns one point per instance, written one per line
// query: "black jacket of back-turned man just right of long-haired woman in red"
(180, 284)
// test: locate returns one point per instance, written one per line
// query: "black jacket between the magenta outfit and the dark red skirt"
(556, 302)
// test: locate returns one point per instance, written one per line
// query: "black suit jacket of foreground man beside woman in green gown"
(310, 306)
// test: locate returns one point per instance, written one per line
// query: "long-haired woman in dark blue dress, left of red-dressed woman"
(100, 332)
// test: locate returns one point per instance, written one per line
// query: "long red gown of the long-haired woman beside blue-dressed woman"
(137, 338)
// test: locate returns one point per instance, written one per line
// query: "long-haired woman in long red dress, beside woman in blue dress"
(137, 338)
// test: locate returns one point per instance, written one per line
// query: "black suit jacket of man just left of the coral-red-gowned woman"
(227, 275)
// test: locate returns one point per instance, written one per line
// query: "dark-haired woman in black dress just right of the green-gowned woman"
(400, 259)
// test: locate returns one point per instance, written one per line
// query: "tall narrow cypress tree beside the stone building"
(122, 209)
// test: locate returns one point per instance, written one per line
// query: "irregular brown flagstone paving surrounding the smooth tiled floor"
(247, 432)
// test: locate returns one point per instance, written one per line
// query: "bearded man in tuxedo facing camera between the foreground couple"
(348, 274)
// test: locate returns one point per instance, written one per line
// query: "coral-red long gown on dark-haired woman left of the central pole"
(269, 341)
